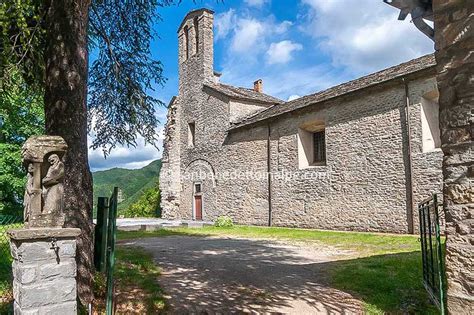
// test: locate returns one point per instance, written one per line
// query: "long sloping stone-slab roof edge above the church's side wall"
(370, 80)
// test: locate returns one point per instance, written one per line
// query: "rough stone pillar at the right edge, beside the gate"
(454, 36)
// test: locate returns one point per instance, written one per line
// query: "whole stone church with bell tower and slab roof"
(357, 156)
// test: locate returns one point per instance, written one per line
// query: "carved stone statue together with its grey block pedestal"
(44, 251)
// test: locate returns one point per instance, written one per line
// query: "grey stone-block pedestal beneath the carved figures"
(44, 270)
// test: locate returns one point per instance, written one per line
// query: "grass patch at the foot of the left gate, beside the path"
(136, 288)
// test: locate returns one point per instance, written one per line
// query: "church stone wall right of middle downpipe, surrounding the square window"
(364, 183)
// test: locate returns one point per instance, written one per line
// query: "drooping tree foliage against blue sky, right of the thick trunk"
(123, 73)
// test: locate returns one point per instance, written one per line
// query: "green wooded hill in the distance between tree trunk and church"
(131, 183)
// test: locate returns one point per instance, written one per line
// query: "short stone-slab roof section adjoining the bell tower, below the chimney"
(244, 94)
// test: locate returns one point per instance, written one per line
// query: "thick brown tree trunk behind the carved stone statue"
(66, 60)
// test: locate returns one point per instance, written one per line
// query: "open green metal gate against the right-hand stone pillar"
(432, 252)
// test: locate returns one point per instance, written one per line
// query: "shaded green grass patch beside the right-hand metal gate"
(387, 284)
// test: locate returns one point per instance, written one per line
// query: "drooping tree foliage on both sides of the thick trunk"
(122, 72)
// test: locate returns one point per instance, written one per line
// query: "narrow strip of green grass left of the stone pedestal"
(7, 222)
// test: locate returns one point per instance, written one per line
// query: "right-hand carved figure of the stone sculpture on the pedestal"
(53, 187)
